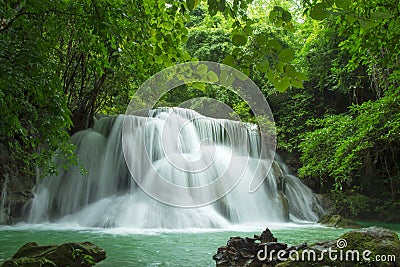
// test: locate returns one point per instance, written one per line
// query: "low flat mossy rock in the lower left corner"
(68, 254)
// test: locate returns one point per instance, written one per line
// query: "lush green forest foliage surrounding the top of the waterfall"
(329, 68)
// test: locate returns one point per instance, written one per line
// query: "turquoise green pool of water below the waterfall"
(157, 247)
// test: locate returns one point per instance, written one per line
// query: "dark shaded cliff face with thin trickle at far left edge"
(15, 189)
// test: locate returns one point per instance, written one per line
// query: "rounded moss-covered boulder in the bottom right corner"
(355, 248)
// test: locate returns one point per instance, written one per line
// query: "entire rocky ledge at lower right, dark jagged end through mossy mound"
(372, 246)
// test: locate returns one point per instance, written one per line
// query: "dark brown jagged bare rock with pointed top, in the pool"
(260, 251)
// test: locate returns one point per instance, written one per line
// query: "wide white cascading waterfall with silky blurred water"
(104, 194)
